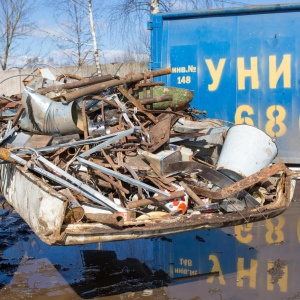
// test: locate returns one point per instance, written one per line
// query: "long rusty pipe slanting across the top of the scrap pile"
(97, 88)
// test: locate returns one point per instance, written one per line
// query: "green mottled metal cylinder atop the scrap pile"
(181, 97)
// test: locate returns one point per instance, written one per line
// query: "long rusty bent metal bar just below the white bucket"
(242, 184)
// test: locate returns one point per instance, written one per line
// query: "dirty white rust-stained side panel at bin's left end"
(40, 206)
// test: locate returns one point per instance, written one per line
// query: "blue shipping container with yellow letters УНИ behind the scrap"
(242, 63)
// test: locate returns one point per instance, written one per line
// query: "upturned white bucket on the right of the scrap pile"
(246, 150)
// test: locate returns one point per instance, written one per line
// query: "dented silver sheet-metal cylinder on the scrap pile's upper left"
(42, 115)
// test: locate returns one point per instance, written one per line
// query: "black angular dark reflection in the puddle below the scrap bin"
(104, 274)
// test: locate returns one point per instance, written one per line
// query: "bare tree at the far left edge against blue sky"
(14, 25)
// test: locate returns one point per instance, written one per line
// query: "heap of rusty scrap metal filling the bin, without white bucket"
(125, 149)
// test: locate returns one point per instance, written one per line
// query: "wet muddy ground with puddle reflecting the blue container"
(259, 260)
